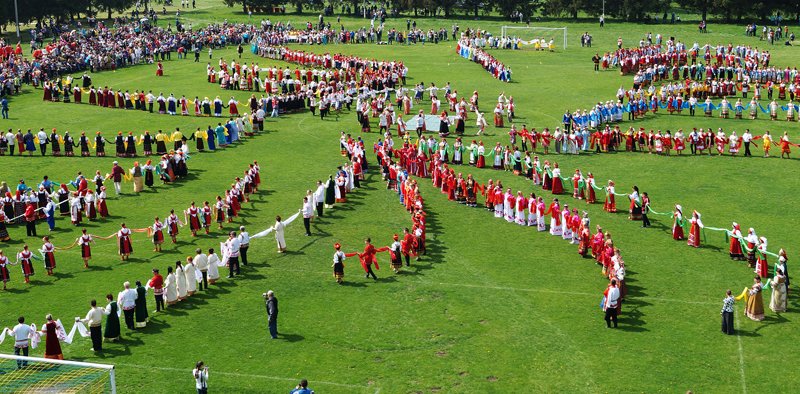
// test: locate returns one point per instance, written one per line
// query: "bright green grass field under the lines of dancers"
(493, 307)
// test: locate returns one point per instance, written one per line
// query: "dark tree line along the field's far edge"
(524, 10)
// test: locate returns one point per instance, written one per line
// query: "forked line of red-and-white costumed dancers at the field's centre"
(400, 163)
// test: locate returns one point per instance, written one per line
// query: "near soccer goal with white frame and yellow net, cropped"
(19, 374)
